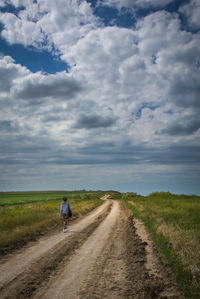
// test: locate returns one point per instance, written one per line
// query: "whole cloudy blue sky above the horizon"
(100, 95)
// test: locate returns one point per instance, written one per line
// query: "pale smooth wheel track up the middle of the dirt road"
(74, 274)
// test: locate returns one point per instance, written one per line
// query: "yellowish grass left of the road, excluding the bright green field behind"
(24, 222)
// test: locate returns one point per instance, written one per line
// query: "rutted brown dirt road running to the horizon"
(103, 255)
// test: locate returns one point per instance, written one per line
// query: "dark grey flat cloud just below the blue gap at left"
(54, 87)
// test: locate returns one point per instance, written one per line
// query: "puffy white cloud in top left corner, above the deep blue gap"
(45, 24)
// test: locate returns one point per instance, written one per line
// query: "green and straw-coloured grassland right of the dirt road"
(174, 221)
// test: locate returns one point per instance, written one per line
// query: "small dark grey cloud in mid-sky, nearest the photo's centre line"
(94, 121)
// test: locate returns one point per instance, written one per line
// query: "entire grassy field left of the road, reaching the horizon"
(25, 215)
